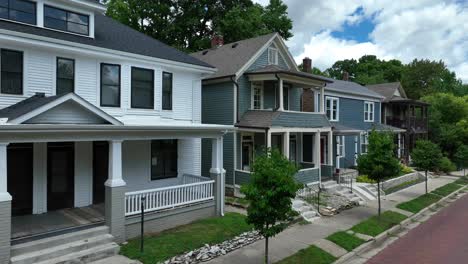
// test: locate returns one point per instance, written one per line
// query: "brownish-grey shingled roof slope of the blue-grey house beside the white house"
(231, 58)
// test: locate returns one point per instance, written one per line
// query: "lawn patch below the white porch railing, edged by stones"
(169, 243)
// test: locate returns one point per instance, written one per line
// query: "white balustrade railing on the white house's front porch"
(169, 197)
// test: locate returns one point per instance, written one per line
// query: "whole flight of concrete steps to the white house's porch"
(77, 247)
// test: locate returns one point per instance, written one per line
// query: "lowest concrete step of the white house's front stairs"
(86, 256)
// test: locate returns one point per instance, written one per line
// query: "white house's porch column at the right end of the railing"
(217, 174)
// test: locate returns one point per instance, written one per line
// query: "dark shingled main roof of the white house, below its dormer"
(112, 35)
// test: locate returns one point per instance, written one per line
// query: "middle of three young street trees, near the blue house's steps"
(379, 162)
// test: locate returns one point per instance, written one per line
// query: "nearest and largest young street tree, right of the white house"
(269, 194)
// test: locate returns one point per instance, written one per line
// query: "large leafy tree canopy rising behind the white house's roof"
(188, 25)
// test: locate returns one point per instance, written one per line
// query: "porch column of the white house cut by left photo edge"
(5, 207)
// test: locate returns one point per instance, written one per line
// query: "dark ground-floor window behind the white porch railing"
(163, 159)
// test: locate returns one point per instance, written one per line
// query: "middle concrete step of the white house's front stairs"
(63, 249)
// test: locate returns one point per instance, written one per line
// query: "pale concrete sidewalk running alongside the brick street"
(298, 237)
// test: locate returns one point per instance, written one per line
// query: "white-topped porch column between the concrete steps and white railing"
(115, 193)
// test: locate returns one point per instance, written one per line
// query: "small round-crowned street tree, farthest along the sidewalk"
(426, 156)
